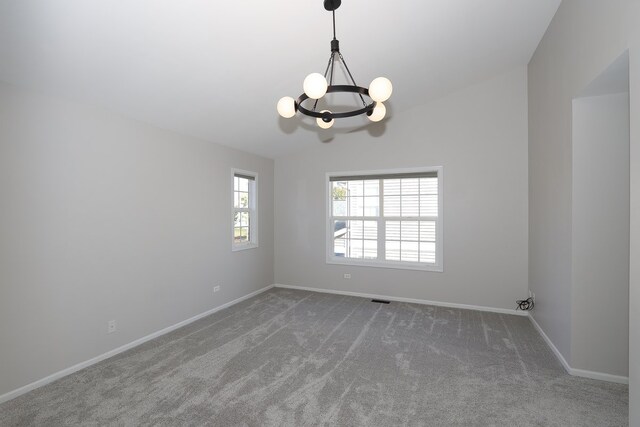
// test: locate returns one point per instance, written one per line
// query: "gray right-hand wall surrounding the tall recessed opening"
(582, 40)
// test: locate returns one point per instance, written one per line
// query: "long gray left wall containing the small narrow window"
(105, 218)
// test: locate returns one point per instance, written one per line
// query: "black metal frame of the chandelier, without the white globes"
(367, 108)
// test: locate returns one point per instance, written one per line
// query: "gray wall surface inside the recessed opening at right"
(600, 251)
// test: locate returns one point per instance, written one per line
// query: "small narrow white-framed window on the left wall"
(245, 211)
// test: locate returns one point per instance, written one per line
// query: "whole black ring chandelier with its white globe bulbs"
(315, 86)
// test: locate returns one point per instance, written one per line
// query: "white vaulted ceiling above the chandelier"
(215, 69)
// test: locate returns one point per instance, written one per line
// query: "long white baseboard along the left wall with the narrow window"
(75, 368)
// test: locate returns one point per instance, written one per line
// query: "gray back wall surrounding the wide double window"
(479, 136)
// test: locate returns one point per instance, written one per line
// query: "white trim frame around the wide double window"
(332, 259)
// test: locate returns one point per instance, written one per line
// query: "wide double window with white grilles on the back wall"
(386, 218)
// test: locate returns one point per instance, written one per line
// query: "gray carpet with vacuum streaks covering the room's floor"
(299, 358)
